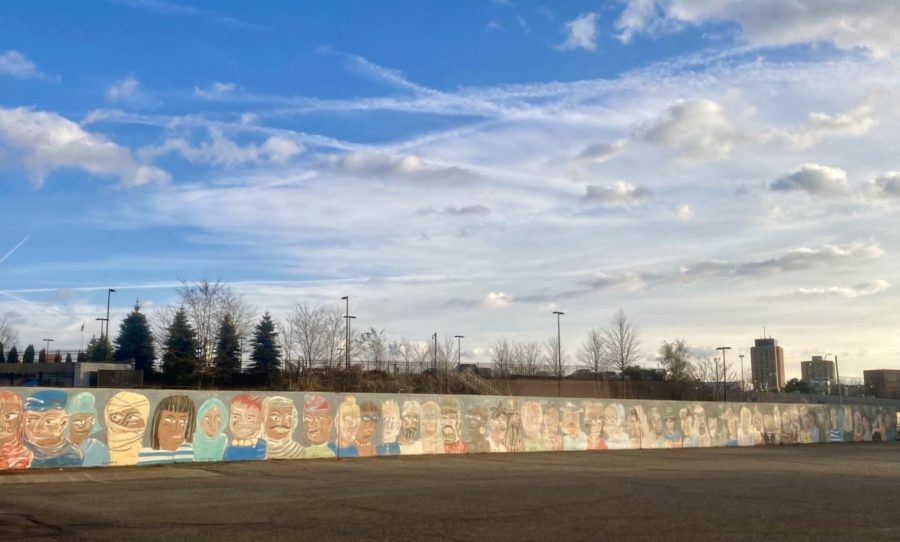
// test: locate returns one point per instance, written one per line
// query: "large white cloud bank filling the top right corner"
(847, 24)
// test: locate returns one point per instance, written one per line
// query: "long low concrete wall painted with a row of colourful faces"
(51, 428)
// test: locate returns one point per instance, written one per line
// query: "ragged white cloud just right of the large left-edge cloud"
(221, 151)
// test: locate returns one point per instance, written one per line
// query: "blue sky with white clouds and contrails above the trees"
(718, 169)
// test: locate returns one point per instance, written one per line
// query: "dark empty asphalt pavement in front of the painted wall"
(813, 492)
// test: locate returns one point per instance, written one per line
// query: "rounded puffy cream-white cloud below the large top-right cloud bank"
(696, 129)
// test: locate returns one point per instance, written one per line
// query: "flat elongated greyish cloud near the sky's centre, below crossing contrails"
(409, 168)
